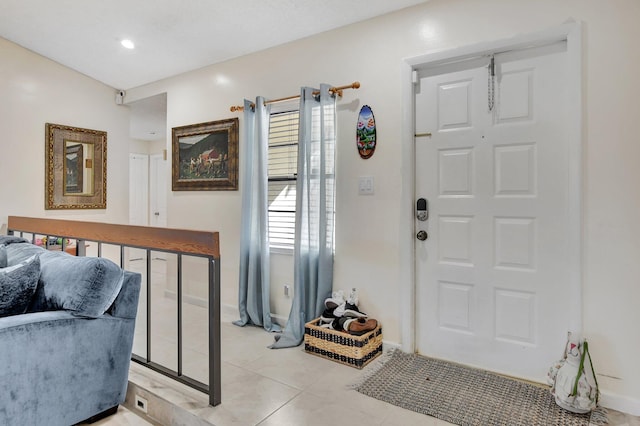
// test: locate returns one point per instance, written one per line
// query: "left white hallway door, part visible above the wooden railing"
(138, 189)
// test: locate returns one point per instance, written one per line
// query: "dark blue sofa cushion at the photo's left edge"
(17, 286)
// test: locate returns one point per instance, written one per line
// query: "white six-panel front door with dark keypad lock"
(492, 285)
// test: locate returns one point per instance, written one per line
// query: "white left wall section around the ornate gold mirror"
(35, 91)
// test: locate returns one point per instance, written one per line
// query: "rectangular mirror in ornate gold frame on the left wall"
(76, 168)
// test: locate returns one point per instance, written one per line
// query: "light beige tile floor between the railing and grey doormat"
(281, 387)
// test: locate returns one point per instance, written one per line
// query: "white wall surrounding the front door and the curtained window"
(367, 235)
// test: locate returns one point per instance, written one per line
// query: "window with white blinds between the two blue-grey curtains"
(283, 167)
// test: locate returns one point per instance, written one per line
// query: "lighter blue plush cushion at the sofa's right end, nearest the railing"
(85, 285)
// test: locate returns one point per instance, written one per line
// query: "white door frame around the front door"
(572, 33)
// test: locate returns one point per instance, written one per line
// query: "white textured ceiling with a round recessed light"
(171, 36)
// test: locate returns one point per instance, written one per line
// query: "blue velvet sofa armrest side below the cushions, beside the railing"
(59, 369)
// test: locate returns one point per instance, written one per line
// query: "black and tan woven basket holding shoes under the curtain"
(355, 351)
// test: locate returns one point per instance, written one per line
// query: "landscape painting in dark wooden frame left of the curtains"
(205, 156)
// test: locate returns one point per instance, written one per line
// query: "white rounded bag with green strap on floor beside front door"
(573, 379)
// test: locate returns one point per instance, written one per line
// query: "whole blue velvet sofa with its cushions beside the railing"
(66, 333)
